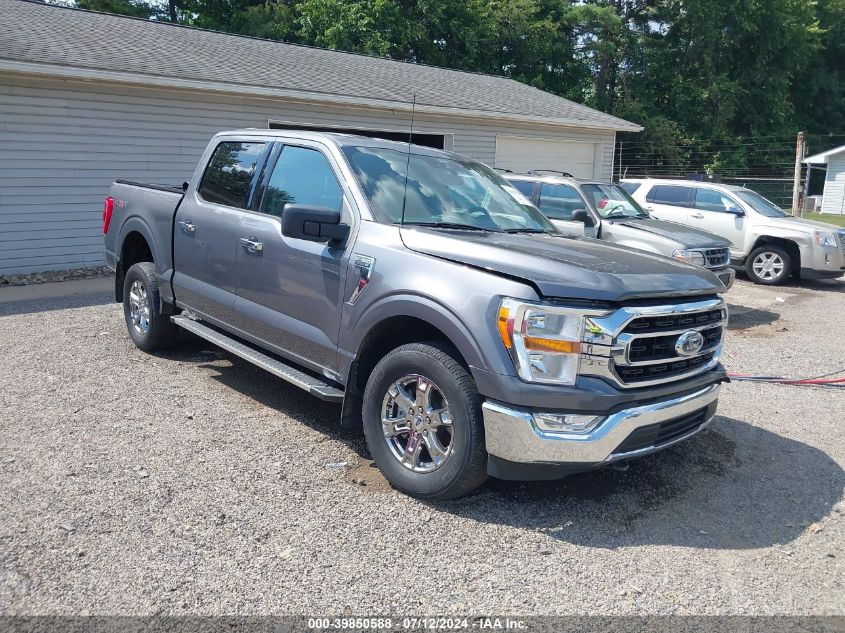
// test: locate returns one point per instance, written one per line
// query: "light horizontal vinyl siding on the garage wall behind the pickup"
(63, 142)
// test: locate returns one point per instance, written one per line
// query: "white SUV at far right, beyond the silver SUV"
(767, 241)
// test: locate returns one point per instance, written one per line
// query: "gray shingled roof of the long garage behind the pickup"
(36, 37)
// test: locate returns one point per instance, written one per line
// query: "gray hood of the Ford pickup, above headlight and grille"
(566, 267)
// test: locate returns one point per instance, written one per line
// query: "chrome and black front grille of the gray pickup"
(639, 346)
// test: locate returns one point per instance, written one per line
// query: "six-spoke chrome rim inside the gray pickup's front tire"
(417, 423)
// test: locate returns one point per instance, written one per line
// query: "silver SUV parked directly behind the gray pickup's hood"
(606, 211)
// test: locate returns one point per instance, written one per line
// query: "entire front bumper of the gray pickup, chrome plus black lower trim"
(518, 447)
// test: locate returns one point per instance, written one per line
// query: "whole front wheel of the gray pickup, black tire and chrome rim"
(439, 452)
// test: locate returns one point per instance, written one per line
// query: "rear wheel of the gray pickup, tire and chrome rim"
(149, 329)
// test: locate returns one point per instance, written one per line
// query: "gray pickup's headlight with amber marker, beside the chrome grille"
(544, 341)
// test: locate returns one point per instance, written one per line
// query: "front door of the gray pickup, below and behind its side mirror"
(290, 290)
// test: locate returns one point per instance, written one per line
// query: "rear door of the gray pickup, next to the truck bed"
(205, 234)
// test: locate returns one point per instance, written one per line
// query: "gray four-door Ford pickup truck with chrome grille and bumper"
(466, 334)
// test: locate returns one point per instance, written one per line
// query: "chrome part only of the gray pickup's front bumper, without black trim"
(514, 436)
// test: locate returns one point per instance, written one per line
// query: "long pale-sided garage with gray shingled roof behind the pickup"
(86, 98)
